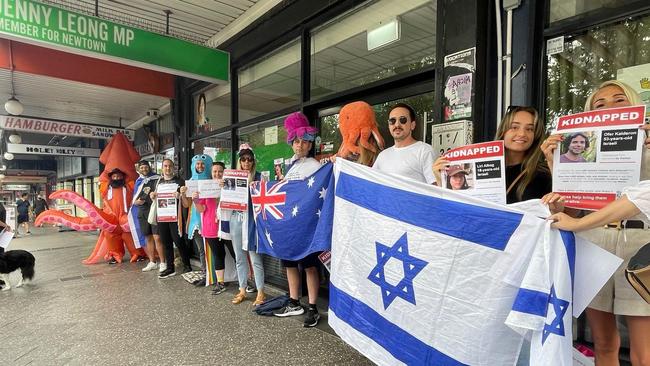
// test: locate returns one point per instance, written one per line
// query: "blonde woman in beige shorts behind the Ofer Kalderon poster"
(617, 297)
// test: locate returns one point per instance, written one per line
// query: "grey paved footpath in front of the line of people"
(103, 314)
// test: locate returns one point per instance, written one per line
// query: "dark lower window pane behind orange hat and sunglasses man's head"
(330, 139)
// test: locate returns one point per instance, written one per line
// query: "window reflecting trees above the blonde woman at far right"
(620, 51)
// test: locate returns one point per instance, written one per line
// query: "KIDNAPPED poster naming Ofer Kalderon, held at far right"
(599, 155)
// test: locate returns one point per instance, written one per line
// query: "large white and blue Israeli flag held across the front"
(424, 276)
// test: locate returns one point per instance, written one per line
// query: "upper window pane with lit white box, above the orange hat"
(373, 42)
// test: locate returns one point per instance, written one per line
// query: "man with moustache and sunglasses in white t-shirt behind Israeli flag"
(408, 157)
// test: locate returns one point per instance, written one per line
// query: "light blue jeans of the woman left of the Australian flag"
(240, 254)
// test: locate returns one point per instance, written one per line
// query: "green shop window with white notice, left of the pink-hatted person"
(269, 142)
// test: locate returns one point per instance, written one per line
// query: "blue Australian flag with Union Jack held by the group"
(294, 217)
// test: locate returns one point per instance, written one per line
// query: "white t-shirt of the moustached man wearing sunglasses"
(414, 161)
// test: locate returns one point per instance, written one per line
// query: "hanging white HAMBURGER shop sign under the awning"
(49, 127)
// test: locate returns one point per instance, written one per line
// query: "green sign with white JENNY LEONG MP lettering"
(52, 27)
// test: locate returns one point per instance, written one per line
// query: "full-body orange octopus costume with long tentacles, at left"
(112, 221)
